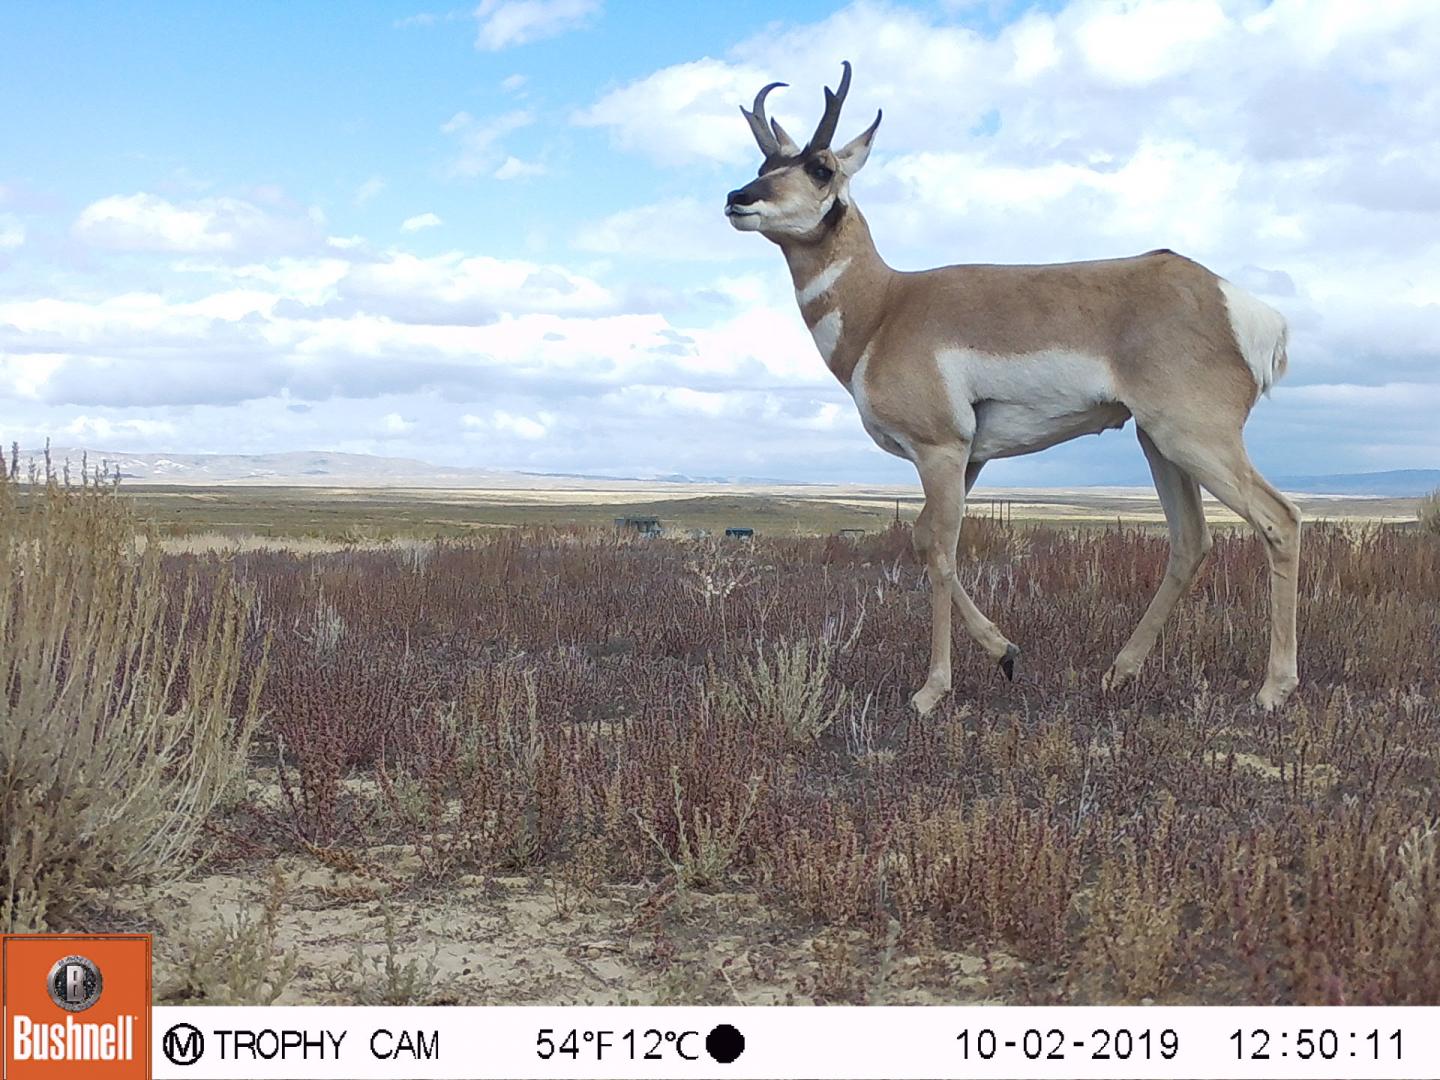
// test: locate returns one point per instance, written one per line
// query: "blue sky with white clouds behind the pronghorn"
(492, 235)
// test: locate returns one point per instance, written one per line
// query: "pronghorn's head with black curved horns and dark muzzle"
(800, 189)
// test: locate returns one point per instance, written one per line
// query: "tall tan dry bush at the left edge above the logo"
(119, 693)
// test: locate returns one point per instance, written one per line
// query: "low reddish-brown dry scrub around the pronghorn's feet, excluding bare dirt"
(607, 714)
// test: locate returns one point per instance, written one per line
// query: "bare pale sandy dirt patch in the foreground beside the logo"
(522, 941)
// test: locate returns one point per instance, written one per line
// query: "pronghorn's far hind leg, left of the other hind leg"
(1190, 544)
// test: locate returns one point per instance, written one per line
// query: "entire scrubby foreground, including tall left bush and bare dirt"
(565, 765)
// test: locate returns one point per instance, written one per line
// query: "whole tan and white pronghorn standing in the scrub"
(955, 366)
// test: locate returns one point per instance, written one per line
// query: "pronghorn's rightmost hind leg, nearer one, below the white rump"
(1223, 467)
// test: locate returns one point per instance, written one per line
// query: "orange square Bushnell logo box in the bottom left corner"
(76, 1007)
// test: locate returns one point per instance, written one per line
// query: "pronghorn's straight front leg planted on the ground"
(937, 536)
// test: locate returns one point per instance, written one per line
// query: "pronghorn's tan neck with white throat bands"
(840, 286)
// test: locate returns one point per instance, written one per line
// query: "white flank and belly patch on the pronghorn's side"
(1029, 402)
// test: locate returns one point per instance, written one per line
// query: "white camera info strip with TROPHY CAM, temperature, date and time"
(842, 1043)
